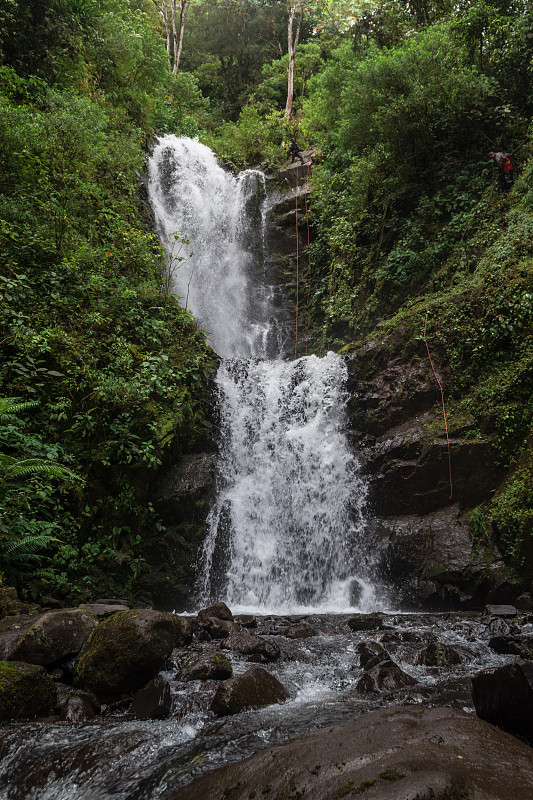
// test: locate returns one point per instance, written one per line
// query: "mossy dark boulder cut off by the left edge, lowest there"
(26, 691)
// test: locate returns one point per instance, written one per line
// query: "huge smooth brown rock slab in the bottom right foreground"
(402, 752)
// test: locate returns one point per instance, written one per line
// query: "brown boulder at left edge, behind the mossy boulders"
(53, 636)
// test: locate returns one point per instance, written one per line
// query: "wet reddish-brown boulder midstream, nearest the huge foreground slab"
(256, 688)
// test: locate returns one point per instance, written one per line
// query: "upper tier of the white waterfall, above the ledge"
(220, 271)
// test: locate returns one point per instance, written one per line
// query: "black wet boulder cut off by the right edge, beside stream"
(504, 697)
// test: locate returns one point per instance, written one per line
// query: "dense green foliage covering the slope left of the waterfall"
(113, 370)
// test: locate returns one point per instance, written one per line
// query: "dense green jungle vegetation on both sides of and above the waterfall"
(104, 376)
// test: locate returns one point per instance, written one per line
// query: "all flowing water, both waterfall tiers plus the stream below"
(287, 534)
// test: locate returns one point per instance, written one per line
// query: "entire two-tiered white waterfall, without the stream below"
(287, 526)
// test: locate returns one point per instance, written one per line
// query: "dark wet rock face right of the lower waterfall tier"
(427, 552)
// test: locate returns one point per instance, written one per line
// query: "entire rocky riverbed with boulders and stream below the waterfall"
(180, 697)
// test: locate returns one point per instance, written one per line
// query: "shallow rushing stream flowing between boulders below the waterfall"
(116, 758)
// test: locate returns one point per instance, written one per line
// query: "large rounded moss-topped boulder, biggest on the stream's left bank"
(126, 651)
